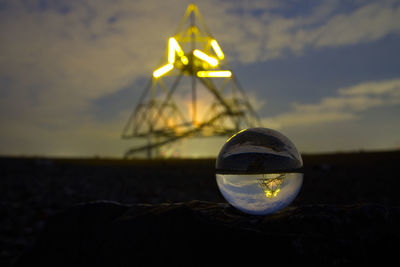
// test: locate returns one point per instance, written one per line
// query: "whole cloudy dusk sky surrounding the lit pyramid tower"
(324, 73)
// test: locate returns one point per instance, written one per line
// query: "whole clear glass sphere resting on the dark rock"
(259, 171)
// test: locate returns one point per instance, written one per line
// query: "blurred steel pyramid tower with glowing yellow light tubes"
(162, 116)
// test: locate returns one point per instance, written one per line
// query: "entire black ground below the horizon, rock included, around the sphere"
(347, 212)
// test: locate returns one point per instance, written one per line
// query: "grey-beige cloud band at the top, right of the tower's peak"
(272, 35)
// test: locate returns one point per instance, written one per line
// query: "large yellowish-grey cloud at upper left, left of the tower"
(54, 63)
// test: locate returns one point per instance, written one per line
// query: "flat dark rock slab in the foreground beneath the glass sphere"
(199, 233)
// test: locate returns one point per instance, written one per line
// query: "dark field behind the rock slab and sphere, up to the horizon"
(32, 189)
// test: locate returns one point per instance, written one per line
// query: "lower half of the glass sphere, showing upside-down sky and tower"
(260, 194)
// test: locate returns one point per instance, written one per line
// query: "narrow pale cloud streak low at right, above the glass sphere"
(348, 104)
